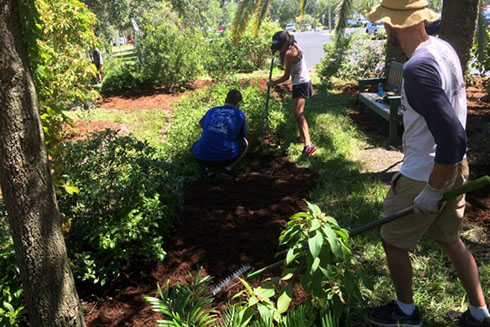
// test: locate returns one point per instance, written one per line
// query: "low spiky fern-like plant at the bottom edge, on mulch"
(186, 304)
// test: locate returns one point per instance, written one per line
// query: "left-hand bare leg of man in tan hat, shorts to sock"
(400, 268)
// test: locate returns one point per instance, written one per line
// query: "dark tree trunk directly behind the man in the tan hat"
(458, 27)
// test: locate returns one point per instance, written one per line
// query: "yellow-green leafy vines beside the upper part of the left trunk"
(59, 63)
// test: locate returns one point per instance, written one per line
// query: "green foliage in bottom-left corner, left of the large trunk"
(12, 310)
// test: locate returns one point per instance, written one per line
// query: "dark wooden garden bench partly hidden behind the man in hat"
(390, 107)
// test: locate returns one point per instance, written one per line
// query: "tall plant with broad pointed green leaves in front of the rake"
(319, 257)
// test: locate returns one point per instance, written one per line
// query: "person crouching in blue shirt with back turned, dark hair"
(223, 142)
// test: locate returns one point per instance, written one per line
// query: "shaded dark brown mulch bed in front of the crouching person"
(227, 221)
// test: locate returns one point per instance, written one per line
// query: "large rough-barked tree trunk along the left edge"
(49, 288)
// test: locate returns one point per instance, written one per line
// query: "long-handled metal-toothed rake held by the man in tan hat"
(467, 188)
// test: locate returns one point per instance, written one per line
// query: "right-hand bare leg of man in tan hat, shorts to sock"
(465, 266)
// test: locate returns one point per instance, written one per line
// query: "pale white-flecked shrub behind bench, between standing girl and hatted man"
(352, 57)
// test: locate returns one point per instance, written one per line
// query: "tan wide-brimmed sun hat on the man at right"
(402, 13)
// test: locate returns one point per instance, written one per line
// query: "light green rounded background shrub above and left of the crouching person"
(168, 56)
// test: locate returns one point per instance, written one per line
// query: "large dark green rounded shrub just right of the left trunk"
(124, 207)
